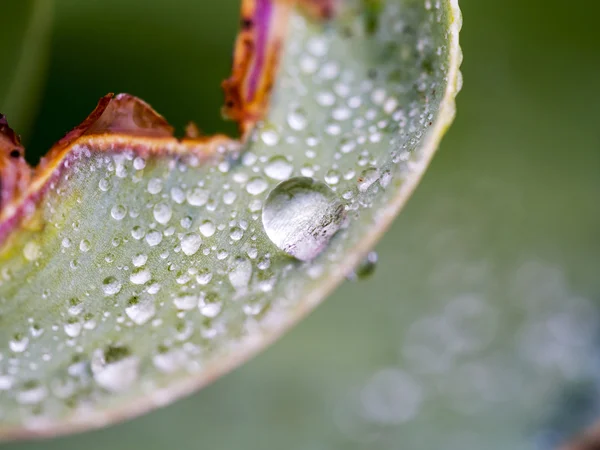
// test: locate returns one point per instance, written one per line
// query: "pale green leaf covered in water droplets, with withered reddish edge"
(137, 267)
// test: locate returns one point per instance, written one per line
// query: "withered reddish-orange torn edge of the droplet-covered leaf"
(124, 121)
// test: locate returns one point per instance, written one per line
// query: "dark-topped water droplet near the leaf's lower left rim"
(115, 369)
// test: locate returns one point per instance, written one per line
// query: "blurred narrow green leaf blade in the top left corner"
(26, 26)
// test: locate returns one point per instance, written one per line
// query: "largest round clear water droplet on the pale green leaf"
(301, 215)
